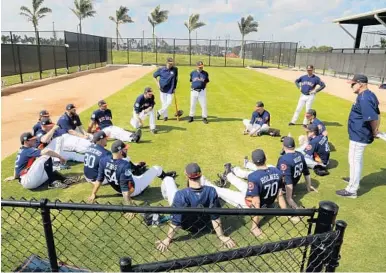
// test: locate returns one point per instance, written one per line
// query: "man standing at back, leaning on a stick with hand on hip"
(167, 84)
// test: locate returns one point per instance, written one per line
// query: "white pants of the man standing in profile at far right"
(355, 160)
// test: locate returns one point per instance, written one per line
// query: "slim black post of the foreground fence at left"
(49, 235)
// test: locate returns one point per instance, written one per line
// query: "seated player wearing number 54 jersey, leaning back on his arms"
(118, 173)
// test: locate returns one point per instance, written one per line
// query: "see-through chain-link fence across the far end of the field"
(211, 52)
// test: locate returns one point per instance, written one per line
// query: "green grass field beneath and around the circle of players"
(232, 94)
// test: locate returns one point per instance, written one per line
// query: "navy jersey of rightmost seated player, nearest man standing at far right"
(318, 149)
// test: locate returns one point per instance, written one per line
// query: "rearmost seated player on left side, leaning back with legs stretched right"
(102, 118)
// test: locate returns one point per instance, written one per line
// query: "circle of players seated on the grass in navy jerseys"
(45, 150)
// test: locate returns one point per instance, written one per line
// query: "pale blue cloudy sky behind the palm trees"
(309, 22)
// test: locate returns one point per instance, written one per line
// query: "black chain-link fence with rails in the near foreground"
(53, 236)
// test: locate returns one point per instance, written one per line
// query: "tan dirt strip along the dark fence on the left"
(20, 110)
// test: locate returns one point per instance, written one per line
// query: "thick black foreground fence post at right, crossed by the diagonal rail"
(326, 218)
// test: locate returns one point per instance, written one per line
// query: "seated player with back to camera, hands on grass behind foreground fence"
(195, 195)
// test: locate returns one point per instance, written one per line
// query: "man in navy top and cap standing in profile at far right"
(363, 124)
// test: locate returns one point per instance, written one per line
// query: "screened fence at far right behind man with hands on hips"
(347, 62)
